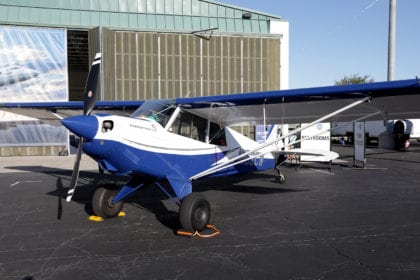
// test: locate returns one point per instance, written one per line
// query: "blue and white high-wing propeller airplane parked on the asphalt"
(179, 141)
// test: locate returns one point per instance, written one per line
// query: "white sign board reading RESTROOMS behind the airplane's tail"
(315, 140)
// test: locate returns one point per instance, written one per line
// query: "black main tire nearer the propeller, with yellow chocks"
(102, 202)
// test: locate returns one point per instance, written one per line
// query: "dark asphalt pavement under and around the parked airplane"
(347, 223)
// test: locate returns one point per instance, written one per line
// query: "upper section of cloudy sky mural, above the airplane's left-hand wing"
(33, 64)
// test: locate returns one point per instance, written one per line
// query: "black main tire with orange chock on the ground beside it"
(194, 214)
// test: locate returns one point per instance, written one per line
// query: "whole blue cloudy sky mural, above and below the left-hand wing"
(33, 68)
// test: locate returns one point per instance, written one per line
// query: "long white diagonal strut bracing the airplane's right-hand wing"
(256, 152)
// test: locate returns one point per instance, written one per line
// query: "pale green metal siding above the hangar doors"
(168, 15)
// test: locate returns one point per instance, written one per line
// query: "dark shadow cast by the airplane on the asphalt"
(150, 198)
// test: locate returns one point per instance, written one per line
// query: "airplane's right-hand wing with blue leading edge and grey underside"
(386, 100)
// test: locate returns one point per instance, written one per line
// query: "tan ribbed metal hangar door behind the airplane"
(145, 65)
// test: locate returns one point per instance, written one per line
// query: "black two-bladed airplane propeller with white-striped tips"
(88, 104)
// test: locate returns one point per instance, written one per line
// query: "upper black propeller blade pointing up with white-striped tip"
(91, 86)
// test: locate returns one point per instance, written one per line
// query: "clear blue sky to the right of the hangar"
(330, 39)
